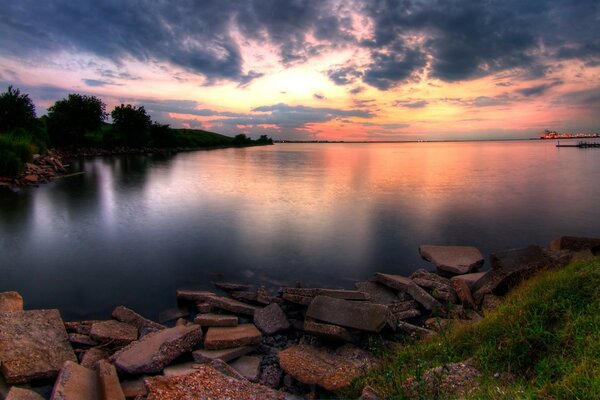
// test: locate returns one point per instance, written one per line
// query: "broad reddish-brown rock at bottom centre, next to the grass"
(331, 370)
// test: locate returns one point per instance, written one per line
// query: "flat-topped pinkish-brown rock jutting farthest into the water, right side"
(453, 260)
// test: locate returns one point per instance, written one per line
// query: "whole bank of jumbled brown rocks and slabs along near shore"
(241, 341)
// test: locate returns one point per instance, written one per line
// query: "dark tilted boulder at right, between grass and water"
(509, 268)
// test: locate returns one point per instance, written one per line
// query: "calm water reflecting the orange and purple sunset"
(132, 230)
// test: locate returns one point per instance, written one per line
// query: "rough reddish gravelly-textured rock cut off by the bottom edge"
(207, 383)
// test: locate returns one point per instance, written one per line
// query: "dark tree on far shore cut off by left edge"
(16, 111)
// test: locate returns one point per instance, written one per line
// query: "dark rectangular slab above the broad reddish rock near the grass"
(351, 314)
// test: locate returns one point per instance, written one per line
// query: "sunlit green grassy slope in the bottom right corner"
(546, 337)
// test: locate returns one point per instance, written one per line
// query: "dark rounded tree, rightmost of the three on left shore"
(132, 123)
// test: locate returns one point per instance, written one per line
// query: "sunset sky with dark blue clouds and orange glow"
(317, 69)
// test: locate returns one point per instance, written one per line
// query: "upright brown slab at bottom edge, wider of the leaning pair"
(75, 382)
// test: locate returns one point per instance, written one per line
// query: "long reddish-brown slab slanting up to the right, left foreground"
(151, 353)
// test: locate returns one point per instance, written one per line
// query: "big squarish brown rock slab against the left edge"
(33, 345)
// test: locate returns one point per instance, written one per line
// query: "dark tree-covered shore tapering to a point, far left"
(79, 121)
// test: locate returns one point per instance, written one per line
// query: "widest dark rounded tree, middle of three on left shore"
(69, 119)
